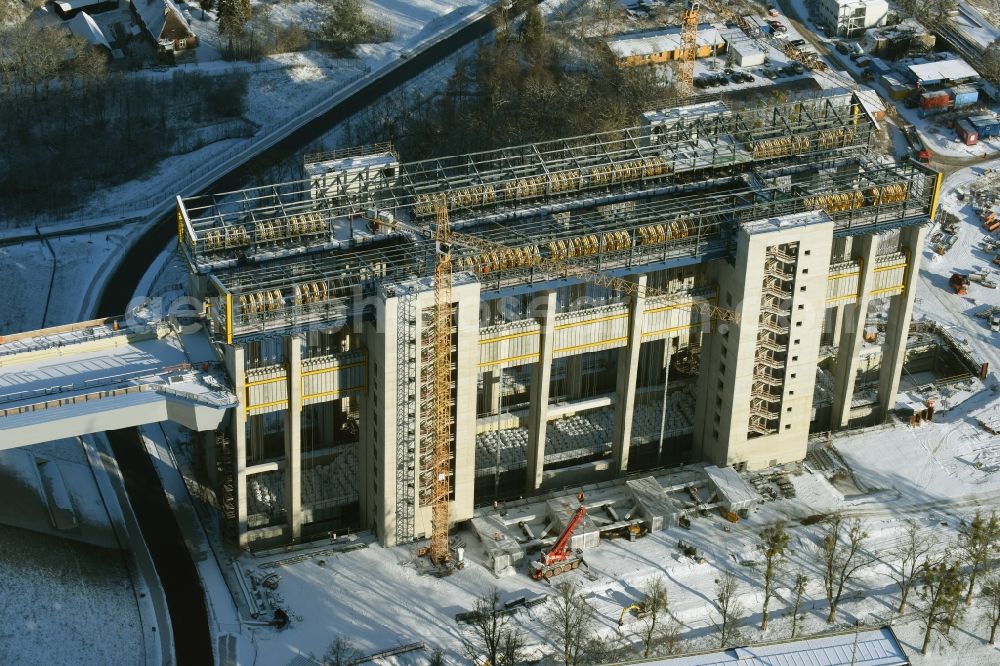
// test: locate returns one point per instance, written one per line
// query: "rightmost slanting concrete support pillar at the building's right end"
(911, 240)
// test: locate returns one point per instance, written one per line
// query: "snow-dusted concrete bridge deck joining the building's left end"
(103, 375)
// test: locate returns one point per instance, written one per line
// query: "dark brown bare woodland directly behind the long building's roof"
(535, 81)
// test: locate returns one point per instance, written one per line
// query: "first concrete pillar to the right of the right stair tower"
(852, 333)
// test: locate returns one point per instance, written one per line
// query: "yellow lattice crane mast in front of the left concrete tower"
(441, 388)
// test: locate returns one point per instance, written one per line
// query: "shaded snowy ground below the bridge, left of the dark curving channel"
(63, 600)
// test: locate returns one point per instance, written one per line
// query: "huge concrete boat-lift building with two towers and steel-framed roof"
(318, 291)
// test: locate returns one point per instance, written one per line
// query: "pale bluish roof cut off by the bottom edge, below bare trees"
(874, 647)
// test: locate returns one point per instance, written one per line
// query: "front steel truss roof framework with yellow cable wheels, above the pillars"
(862, 195)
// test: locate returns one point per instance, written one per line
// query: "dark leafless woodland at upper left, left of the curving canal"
(65, 141)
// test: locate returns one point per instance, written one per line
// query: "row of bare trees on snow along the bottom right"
(936, 588)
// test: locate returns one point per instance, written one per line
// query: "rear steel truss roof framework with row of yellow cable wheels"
(264, 223)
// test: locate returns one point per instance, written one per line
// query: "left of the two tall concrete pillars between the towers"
(538, 408)
